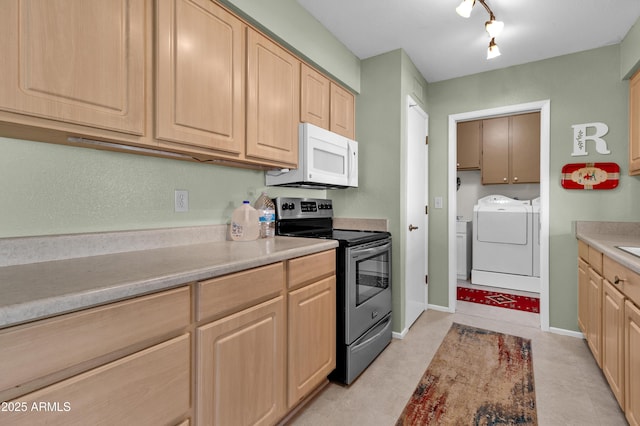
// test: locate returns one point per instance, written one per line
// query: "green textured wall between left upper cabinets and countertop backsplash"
(55, 189)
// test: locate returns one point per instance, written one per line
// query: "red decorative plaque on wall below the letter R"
(590, 176)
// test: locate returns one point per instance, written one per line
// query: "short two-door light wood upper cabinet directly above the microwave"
(326, 104)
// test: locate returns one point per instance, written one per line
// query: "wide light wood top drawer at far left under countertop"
(35, 350)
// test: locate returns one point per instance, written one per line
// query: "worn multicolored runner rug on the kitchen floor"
(477, 377)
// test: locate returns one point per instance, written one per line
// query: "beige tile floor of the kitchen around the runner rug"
(570, 389)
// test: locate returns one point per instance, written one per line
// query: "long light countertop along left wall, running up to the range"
(38, 290)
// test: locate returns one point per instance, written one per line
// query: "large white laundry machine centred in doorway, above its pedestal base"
(503, 236)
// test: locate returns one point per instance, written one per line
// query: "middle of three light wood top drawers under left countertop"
(230, 293)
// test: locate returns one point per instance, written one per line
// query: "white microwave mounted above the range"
(325, 160)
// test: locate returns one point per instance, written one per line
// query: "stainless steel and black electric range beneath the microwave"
(363, 263)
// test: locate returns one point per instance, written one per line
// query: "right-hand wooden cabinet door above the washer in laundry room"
(525, 148)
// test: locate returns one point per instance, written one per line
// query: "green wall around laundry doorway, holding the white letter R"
(583, 88)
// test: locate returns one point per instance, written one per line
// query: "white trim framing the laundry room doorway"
(544, 107)
